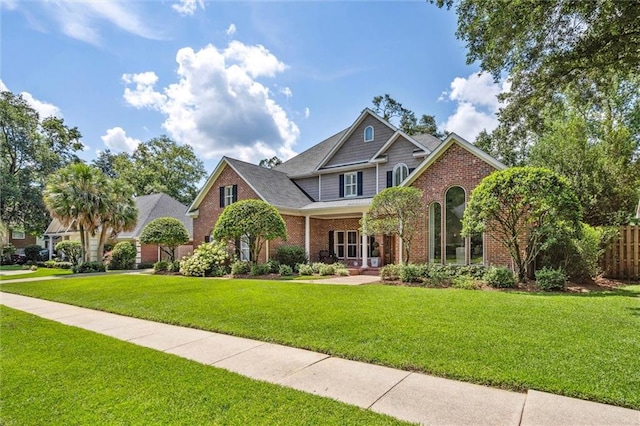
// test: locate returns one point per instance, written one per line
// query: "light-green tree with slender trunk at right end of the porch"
(395, 211)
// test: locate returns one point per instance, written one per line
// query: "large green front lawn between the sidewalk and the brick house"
(585, 346)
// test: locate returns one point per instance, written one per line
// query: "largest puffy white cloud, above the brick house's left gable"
(217, 105)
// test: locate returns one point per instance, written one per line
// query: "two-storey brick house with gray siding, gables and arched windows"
(323, 193)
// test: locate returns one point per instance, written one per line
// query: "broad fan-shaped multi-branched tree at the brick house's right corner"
(525, 209)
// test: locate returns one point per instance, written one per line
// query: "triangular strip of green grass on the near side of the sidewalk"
(56, 374)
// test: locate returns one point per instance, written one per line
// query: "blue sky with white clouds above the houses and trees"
(248, 80)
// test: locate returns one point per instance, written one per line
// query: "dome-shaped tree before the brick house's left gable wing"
(254, 221)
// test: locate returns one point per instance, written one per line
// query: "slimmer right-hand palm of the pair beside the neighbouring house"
(120, 214)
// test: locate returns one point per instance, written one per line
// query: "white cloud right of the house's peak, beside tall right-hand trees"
(478, 104)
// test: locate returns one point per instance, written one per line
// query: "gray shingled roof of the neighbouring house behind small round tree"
(158, 205)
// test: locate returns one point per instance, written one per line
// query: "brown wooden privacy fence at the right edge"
(622, 257)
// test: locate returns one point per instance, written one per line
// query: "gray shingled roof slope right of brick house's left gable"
(274, 186)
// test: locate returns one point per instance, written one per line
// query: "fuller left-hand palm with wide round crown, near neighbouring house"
(76, 193)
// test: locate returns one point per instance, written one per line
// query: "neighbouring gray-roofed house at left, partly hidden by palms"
(150, 207)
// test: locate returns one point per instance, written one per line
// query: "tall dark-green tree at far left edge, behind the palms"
(31, 149)
